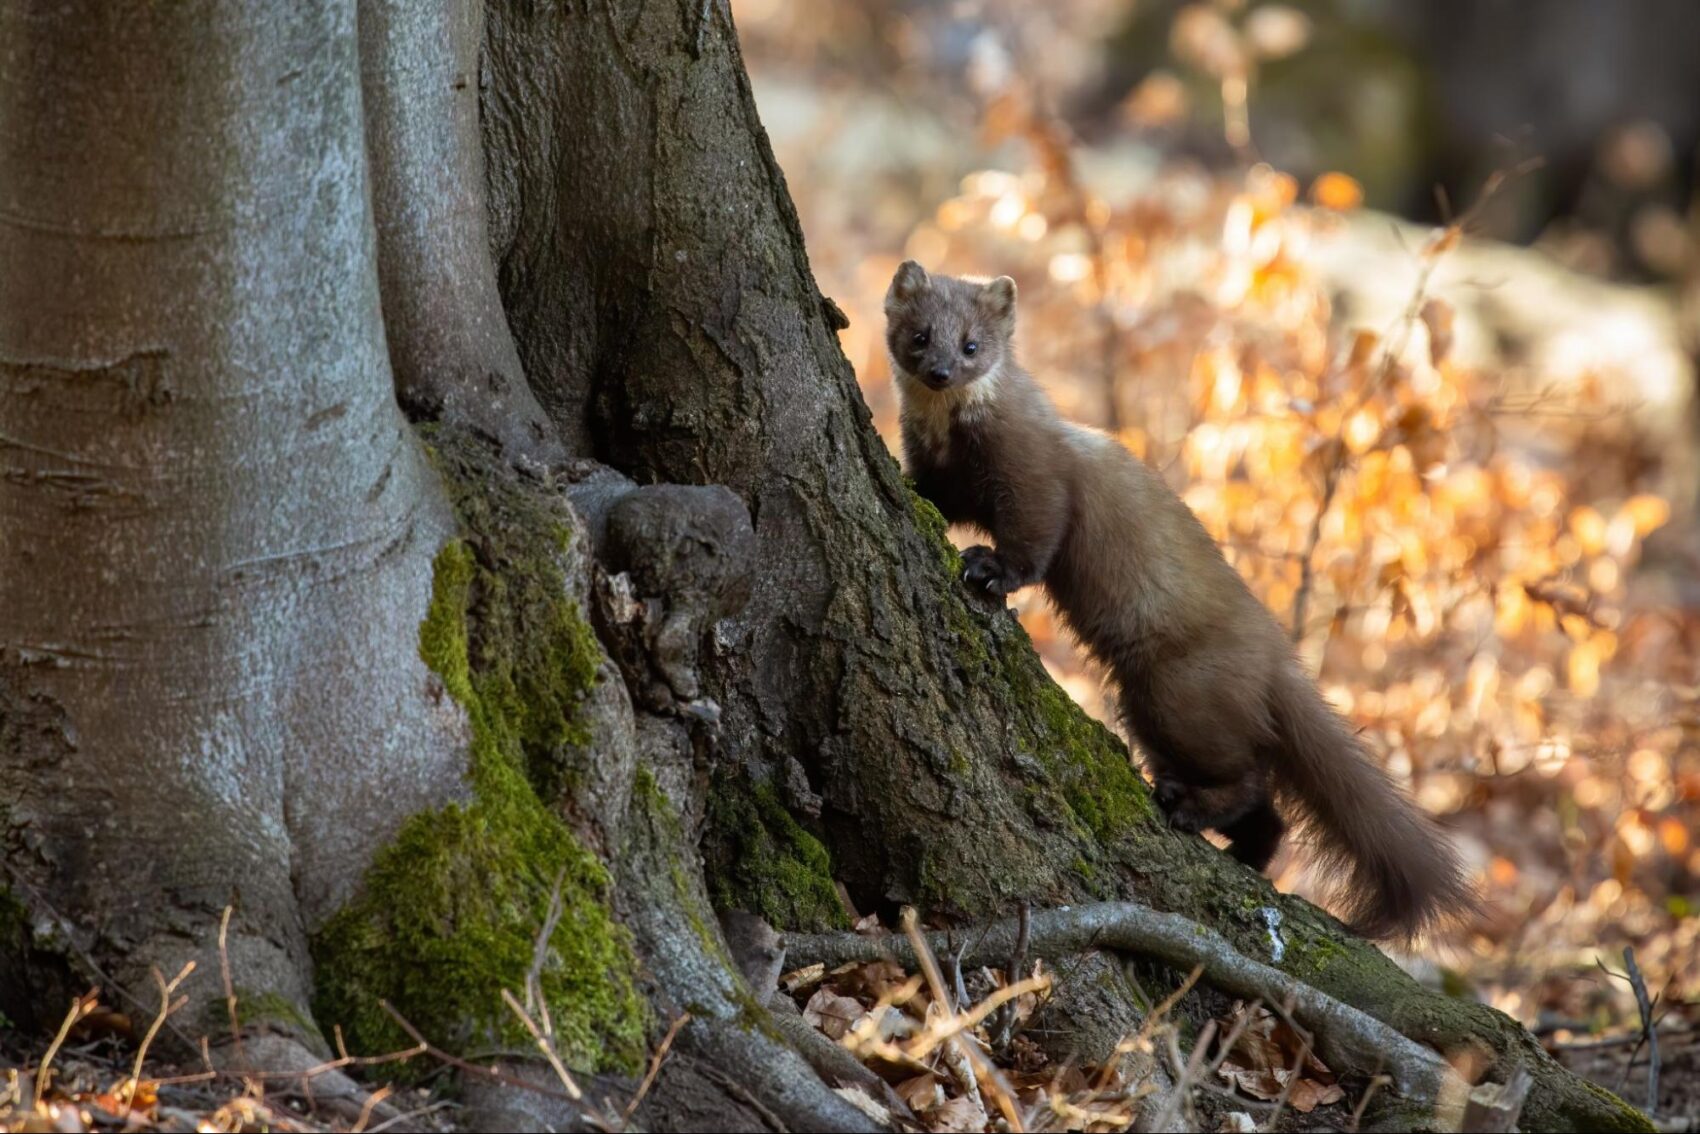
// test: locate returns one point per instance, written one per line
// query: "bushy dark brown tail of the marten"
(1391, 870)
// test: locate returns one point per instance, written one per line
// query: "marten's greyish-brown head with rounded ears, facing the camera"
(948, 332)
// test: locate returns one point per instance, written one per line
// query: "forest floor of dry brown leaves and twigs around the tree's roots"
(985, 1063)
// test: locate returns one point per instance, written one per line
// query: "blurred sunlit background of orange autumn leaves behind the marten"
(1403, 300)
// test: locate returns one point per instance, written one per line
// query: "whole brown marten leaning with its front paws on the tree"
(1210, 688)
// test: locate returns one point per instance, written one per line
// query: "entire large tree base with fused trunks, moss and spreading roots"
(720, 659)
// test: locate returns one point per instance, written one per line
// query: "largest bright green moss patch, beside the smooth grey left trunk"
(453, 907)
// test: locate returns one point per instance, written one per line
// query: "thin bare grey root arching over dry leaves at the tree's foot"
(1346, 1038)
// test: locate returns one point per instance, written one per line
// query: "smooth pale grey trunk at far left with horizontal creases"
(217, 524)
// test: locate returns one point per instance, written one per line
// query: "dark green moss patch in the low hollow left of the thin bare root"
(768, 863)
